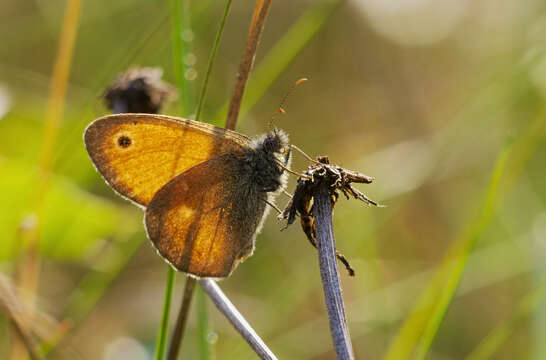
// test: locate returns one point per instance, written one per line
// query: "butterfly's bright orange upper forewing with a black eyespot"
(139, 153)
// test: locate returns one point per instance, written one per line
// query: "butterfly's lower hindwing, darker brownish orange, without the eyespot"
(205, 220)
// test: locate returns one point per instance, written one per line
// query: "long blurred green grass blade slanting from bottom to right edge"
(420, 328)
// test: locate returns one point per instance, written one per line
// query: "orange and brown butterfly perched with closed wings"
(204, 189)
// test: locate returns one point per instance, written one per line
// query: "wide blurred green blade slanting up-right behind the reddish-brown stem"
(282, 54)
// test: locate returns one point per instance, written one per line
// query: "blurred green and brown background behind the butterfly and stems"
(441, 101)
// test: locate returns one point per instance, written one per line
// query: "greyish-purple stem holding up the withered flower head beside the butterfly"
(322, 211)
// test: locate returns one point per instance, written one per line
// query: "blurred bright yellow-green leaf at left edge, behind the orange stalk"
(74, 219)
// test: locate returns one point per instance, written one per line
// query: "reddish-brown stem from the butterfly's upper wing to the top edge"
(256, 27)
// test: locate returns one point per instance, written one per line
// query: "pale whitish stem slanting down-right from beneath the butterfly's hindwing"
(236, 319)
